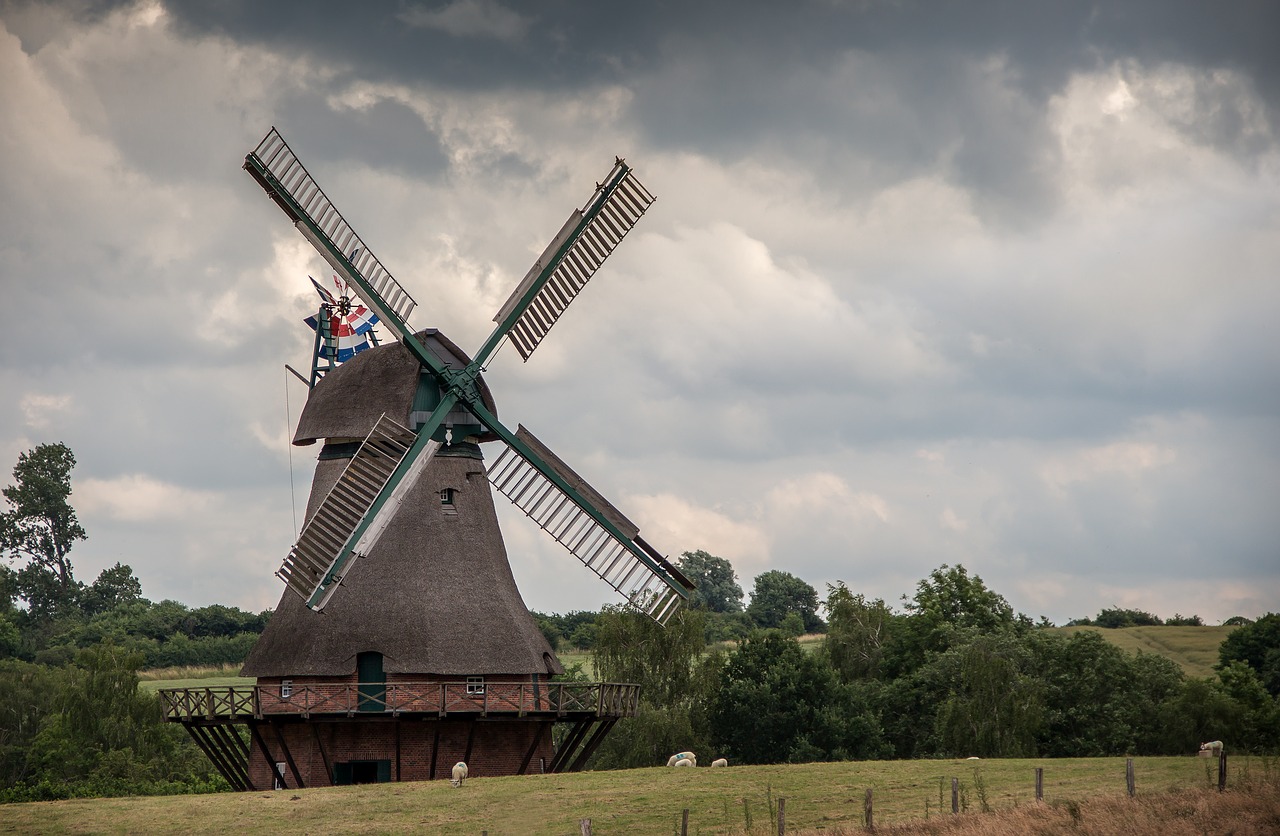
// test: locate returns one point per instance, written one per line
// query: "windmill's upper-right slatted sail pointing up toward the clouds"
(572, 259)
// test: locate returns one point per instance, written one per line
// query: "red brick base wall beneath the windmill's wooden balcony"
(497, 748)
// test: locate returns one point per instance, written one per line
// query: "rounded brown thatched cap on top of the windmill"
(350, 400)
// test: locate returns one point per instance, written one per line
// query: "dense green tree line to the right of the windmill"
(956, 673)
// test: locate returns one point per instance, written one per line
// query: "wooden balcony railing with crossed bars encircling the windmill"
(546, 700)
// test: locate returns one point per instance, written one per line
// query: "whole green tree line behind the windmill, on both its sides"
(953, 673)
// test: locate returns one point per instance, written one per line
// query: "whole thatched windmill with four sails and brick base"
(401, 642)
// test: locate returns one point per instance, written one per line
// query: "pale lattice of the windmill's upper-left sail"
(275, 166)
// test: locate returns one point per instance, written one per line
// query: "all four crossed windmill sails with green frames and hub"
(354, 515)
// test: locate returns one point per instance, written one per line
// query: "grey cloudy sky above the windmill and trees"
(982, 284)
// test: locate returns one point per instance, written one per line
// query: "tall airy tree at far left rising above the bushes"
(42, 527)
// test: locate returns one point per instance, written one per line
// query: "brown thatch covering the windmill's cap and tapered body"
(437, 595)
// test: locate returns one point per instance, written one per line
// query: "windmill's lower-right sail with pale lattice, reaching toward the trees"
(650, 583)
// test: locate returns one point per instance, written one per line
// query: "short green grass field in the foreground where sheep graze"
(820, 796)
